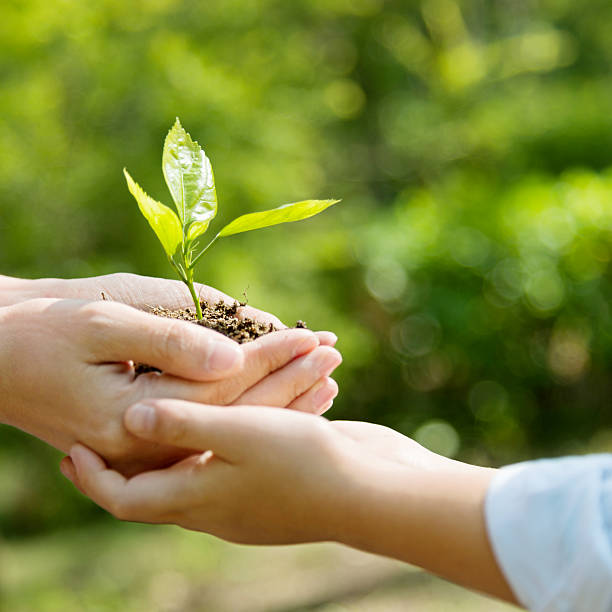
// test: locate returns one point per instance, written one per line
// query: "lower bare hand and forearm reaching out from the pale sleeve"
(271, 476)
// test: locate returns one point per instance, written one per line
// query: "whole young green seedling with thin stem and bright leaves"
(191, 182)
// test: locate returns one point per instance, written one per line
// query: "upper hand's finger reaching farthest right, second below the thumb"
(283, 386)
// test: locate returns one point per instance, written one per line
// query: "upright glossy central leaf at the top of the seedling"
(190, 178)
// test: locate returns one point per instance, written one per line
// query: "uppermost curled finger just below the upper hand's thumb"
(261, 357)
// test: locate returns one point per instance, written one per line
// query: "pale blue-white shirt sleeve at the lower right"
(550, 526)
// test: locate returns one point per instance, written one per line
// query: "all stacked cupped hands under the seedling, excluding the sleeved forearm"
(207, 444)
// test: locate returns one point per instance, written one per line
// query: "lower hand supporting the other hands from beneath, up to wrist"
(255, 476)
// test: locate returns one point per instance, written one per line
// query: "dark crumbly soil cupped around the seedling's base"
(220, 317)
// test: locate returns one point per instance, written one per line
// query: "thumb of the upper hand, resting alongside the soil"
(121, 333)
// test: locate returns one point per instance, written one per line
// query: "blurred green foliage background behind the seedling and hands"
(466, 271)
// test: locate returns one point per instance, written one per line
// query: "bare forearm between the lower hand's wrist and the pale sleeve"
(431, 519)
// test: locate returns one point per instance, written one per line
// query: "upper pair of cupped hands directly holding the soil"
(68, 374)
